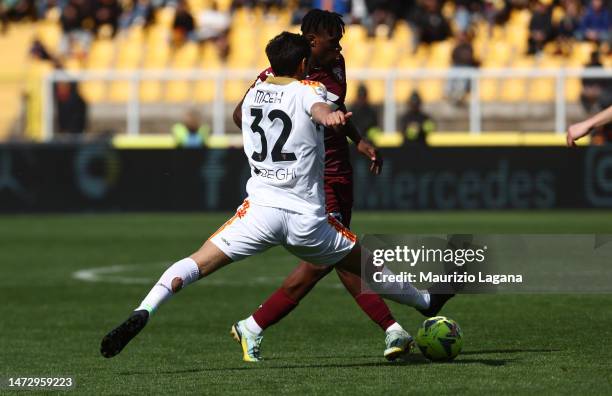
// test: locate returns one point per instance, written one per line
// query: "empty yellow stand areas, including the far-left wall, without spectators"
(511, 103)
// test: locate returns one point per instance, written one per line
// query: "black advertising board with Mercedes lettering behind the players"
(99, 177)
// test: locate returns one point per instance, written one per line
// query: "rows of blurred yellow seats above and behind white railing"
(501, 46)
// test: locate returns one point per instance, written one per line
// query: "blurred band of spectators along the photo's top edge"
(577, 19)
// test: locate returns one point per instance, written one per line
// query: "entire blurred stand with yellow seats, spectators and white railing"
(143, 71)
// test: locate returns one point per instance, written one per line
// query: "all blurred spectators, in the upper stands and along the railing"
(559, 23)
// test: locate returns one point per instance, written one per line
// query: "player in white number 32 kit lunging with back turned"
(282, 120)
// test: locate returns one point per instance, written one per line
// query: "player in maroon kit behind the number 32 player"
(324, 30)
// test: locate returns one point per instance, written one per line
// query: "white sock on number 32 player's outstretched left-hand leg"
(185, 271)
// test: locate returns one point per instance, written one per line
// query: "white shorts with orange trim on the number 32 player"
(254, 229)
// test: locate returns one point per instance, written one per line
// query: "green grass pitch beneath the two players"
(51, 323)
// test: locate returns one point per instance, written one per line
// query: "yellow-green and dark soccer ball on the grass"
(440, 339)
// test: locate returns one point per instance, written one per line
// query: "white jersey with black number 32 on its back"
(284, 146)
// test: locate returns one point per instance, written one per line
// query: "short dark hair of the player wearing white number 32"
(286, 51)
